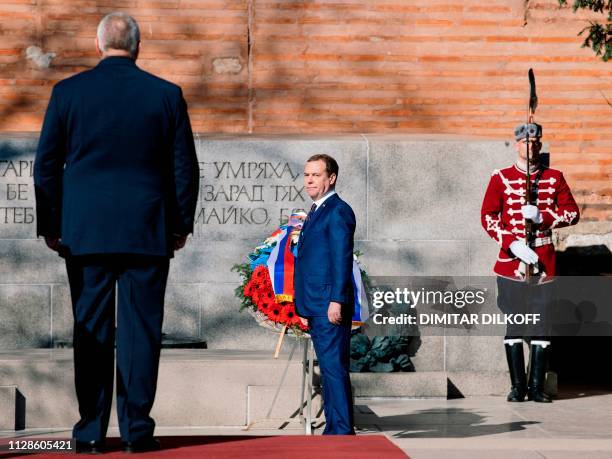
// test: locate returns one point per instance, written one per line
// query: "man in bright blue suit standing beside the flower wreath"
(324, 288)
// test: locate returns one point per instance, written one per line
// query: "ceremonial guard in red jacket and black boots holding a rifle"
(522, 205)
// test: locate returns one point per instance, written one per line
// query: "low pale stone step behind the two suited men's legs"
(197, 387)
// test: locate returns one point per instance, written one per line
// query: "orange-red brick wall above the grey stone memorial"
(338, 66)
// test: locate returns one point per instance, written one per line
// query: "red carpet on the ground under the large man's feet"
(289, 446)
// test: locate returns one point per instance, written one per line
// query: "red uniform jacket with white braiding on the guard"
(502, 219)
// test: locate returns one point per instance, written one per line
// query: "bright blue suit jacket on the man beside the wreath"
(324, 264)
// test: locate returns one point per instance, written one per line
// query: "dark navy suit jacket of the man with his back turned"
(116, 169)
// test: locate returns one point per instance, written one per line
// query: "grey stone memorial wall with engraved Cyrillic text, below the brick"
(417, 202)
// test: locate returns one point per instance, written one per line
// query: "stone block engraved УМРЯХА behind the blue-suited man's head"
(249, 185)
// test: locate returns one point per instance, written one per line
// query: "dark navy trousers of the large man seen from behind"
(141, 283)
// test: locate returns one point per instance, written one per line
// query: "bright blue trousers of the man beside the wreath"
(332, 345)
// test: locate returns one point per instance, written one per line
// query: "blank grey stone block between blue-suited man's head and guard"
(429, 189)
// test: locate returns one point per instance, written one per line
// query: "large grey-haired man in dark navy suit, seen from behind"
(116, 177)
